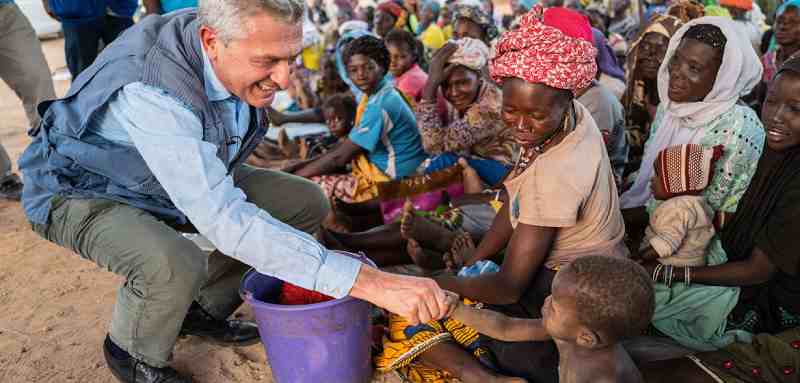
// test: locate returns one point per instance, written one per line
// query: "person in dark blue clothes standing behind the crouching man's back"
(85, 23)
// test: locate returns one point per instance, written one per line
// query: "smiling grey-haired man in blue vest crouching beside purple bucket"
(149, 142)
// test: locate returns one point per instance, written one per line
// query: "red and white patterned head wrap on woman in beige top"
(555, 50)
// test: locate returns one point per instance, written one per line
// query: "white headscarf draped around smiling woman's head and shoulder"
(681, 123)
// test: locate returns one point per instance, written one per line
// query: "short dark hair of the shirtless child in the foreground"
(614, 295)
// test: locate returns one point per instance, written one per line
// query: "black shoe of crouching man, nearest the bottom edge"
(131, 370)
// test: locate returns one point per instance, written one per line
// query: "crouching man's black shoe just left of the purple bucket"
(225, 332)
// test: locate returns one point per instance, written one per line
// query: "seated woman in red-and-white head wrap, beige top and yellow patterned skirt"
(562, 205)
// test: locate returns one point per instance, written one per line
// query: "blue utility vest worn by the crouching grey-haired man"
(66, 160)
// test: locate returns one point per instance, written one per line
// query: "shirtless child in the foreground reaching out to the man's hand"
(596, 302)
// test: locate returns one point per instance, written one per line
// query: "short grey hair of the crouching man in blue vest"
(228, 17)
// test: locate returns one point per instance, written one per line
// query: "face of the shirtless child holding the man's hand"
(560, 310)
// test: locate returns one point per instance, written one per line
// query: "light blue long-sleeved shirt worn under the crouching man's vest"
(169, 138)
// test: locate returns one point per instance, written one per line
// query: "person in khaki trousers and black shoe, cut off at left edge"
(24, 68)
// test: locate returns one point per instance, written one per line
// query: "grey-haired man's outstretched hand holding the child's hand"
(419, 300)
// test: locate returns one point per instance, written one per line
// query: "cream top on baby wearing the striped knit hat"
(680, 230)
